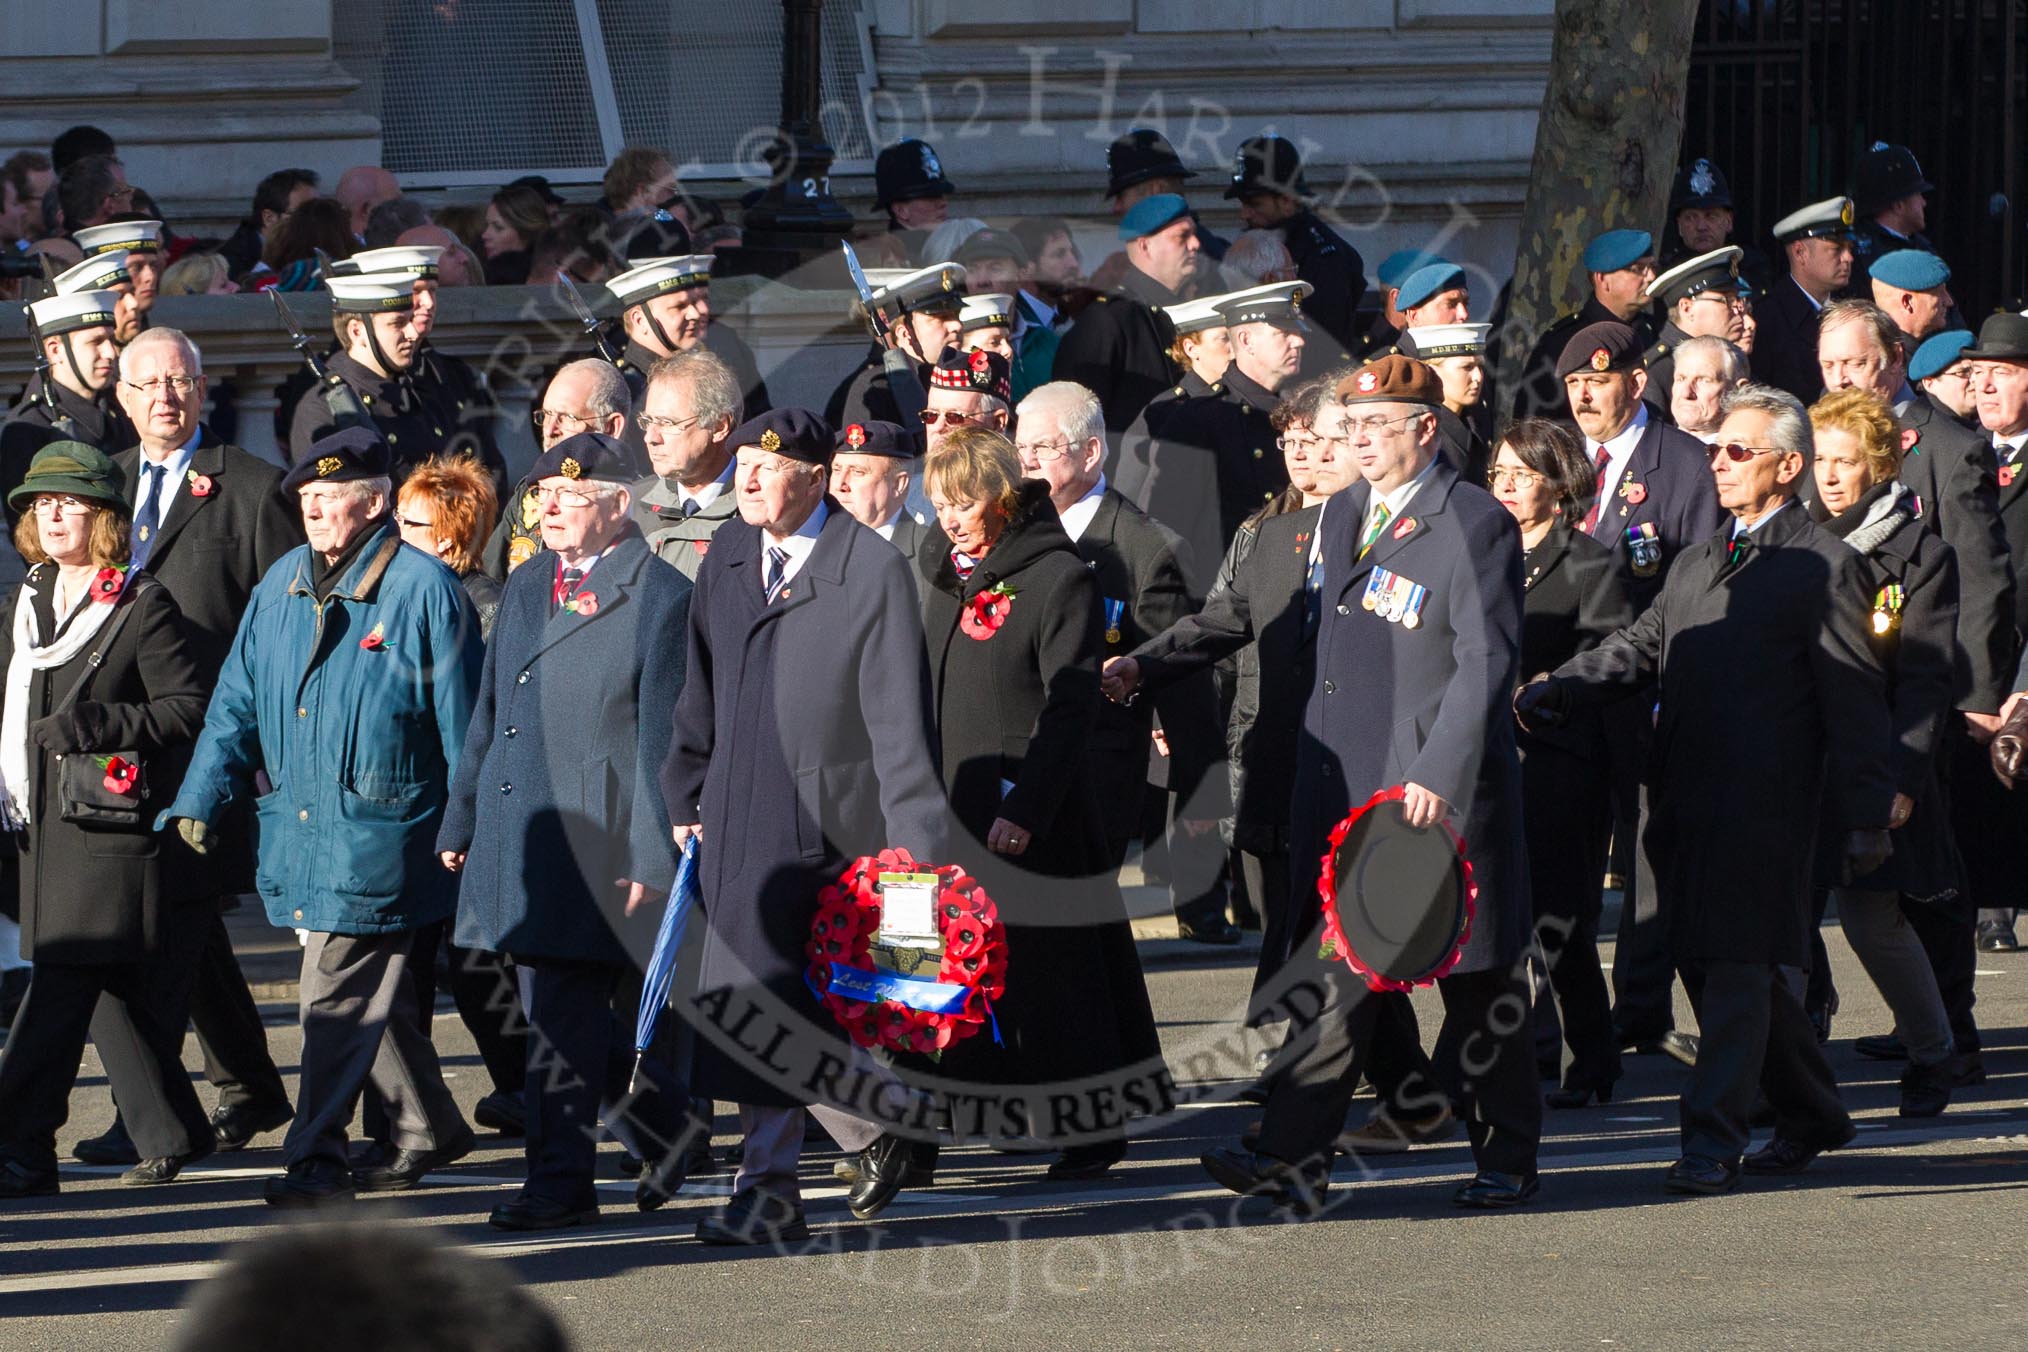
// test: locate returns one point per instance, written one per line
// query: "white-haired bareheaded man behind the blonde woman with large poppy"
(1141, 575)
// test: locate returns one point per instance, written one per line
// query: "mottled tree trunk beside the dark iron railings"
(1605, 151)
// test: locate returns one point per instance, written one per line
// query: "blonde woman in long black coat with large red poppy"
(1015, 644)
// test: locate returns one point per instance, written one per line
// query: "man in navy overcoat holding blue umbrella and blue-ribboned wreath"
(804, 739)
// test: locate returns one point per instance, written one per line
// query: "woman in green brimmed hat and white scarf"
(106, 907)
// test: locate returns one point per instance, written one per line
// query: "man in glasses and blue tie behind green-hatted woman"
(208, 524)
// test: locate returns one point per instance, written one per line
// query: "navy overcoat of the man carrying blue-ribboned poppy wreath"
(804, 739)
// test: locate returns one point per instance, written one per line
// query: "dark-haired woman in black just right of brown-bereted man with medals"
(1573, 601)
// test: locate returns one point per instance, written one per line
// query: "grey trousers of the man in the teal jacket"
(360, 1029)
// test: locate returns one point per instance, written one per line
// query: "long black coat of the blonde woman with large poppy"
(1017, 712)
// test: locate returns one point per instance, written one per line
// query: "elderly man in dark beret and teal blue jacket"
(352, 684)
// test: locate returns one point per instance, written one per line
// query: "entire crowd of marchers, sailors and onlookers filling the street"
(1200, 552)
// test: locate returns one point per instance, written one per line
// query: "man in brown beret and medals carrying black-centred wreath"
(1423, 609)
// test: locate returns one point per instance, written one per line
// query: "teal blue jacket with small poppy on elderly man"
(356, 708)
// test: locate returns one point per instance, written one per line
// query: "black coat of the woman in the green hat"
(94, 893)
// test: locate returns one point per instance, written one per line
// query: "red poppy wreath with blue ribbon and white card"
(970, 978)
